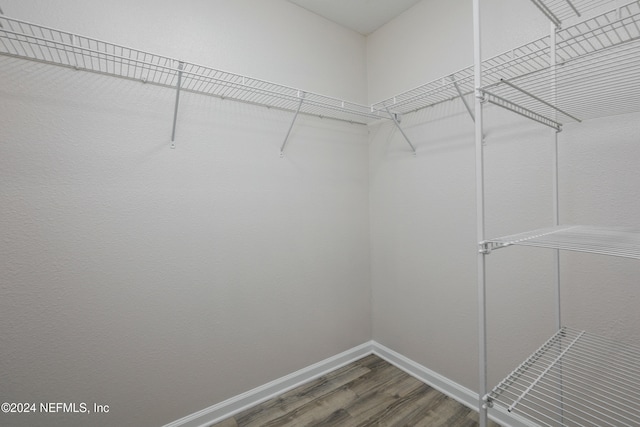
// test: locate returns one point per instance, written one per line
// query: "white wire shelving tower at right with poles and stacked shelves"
(575, 378)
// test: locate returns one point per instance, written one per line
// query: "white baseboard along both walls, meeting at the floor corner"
(230, 407)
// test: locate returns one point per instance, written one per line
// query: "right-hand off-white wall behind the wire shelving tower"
(423, 207)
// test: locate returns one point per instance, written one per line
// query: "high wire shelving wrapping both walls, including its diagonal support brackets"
(25, 40)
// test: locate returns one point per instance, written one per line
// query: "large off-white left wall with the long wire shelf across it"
(159, 281)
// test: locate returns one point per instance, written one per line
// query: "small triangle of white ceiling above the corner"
(363, 16)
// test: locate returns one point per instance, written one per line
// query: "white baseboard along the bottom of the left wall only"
(230, 407)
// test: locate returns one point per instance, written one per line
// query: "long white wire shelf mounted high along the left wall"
(35, 42)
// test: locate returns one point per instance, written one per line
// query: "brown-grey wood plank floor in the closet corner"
(368, 392)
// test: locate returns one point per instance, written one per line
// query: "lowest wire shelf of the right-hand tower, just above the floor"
(574, 379)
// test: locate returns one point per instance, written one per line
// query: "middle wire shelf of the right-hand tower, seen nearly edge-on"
(614, 241)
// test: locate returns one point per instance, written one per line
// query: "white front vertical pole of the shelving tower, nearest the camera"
(482, 306)
